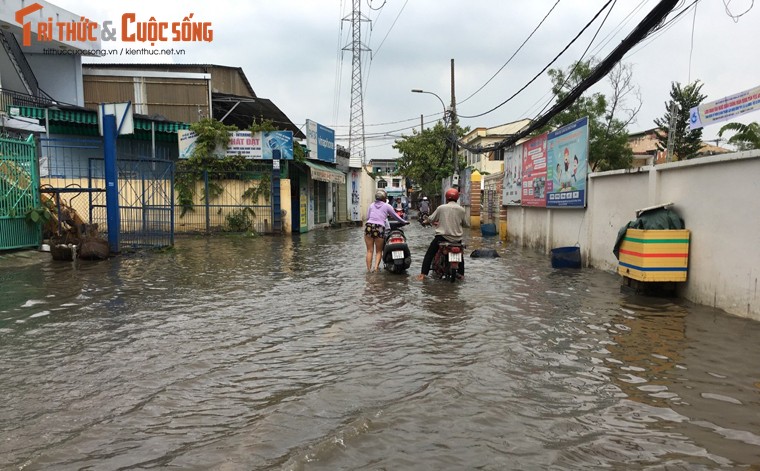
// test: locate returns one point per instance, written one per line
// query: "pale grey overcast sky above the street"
(291, 52)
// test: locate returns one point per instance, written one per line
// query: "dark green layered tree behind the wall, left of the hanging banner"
(686, 144)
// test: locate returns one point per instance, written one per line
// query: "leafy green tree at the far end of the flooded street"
(426, 157)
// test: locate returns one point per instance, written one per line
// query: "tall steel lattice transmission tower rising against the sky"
(356, 131)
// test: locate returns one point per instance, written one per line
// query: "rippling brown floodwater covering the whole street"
(282, 353)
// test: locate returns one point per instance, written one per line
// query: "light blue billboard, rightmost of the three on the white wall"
(567, 158)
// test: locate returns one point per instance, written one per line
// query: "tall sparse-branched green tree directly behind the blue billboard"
(609, 116)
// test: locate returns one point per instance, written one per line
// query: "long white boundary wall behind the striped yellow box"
(719, 199)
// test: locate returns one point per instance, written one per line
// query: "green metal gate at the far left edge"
(19, 192)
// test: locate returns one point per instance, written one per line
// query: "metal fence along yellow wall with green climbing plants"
(224, 200)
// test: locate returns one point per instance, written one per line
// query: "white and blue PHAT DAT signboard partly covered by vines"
(254, 146)
